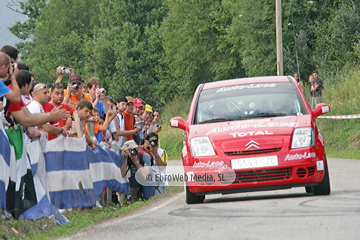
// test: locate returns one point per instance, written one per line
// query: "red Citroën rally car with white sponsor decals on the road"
(252, 134)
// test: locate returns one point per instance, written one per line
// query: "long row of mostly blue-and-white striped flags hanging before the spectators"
(39, 178)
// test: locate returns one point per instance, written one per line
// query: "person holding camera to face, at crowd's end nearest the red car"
(159, 157)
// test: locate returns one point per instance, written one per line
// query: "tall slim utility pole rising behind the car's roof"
(279, 58)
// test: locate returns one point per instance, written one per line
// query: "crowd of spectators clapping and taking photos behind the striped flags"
(123, 123)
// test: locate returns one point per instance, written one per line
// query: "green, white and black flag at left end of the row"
(20, 194)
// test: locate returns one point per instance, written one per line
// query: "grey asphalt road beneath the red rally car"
(284, 214)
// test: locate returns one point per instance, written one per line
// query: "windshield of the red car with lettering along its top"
(248, 101)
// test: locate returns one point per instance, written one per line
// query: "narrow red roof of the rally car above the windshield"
(251, 80)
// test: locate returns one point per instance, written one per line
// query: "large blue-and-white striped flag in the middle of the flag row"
(68, 173)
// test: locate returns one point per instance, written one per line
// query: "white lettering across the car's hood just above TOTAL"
(255, 125)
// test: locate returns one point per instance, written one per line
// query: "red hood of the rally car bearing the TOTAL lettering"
(252, 128)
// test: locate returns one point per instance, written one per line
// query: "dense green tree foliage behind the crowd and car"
(158, 49)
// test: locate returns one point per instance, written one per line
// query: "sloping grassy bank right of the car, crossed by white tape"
(342, 136)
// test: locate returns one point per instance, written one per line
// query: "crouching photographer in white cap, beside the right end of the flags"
(139, 159)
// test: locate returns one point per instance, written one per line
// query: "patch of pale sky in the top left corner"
(7, 19)
